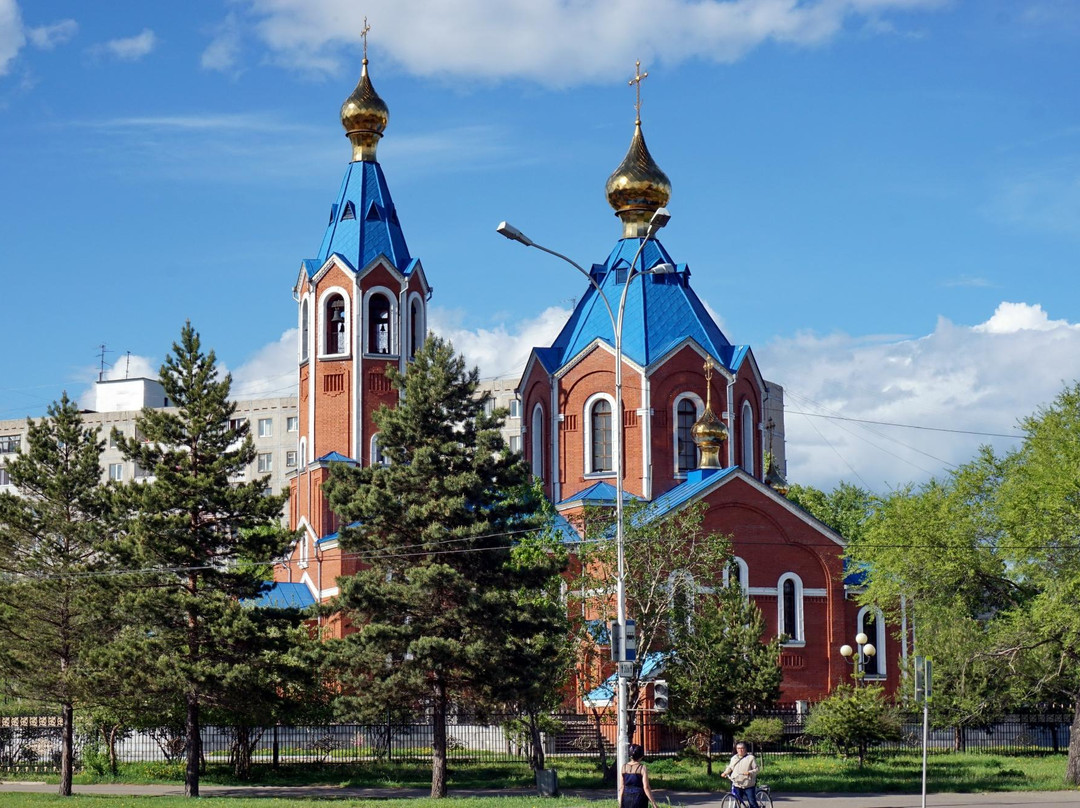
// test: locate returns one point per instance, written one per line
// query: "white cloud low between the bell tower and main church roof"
(499, 351)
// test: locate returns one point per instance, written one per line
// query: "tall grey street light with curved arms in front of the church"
(660, 218)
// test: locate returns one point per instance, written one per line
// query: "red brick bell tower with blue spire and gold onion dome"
(361, 307)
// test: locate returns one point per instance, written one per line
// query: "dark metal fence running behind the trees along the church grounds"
(32, 744)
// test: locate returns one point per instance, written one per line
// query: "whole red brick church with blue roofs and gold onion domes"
(699, 419)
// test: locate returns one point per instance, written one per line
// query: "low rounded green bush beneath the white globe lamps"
(855, 719)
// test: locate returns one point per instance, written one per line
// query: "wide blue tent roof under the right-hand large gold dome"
(661, 312)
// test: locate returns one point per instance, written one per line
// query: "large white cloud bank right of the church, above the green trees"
(981, 379)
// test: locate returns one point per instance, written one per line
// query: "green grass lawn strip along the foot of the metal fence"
(808, 774)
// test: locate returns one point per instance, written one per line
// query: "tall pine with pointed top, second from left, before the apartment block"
(204, 542)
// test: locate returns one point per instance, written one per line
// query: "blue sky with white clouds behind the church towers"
(882, 197)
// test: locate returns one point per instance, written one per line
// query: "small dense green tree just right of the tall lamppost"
(720, 670)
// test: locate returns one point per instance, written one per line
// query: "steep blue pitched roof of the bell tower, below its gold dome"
(363, 223)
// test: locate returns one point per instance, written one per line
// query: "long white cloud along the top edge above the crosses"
(552, 42)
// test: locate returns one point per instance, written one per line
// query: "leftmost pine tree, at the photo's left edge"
(55, 595)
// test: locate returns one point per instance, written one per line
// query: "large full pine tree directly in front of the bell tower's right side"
(441, 594)
